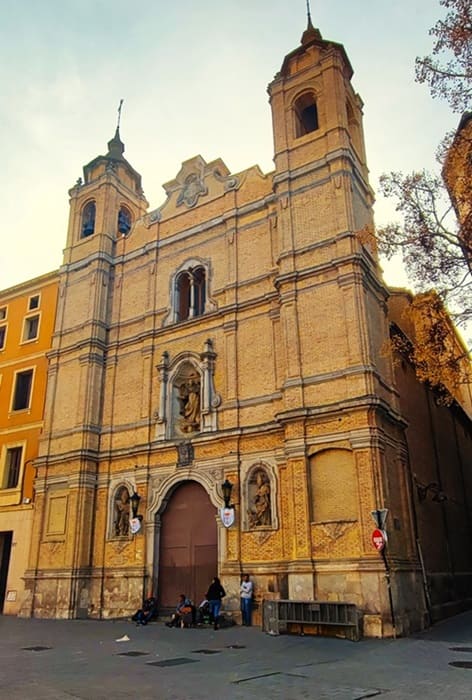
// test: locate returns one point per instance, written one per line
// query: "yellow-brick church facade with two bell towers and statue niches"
(237, 334)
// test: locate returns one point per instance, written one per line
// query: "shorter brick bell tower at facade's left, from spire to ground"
(103, 207)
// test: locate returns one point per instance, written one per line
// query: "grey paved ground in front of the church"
(81, 659)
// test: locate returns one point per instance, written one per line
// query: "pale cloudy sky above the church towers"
(193, 77)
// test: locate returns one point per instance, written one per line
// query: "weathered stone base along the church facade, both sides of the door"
(118, 593)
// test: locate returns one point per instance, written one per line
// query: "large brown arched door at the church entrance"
(188, 552)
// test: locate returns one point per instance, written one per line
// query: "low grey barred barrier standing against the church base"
(310, 617)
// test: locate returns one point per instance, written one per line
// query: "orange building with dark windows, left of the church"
(27, 316)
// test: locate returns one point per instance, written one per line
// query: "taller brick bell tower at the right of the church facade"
(331, 298)
